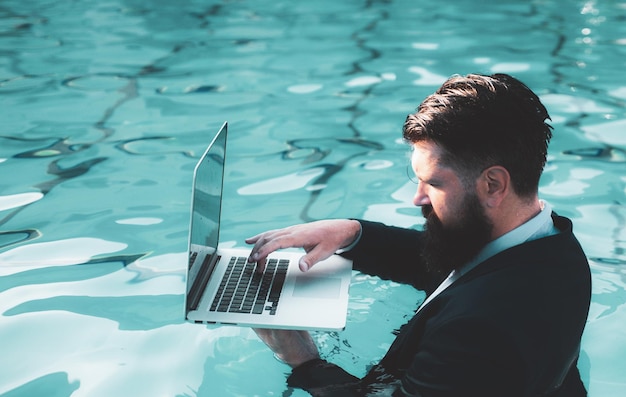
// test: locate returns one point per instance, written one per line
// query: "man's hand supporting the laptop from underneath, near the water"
(291, 347)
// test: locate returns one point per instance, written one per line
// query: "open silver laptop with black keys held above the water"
(223, 288)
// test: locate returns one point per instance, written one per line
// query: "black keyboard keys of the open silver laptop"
(243, 290)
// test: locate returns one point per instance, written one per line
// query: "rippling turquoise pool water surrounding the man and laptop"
(106, 106)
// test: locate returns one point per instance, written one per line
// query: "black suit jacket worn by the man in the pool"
(509, 327)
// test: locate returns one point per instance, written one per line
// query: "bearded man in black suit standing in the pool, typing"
(507, 283)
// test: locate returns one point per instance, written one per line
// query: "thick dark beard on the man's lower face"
(448, 247)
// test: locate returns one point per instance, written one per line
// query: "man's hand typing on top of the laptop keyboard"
(319, 239)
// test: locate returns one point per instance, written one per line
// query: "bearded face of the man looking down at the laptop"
(457, 227)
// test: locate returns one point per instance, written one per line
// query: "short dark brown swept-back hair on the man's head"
(481, 121)
